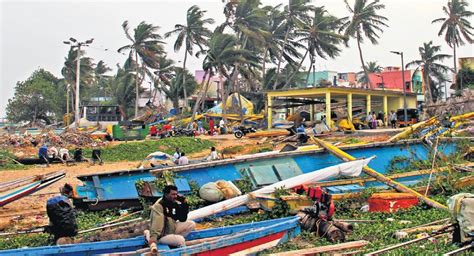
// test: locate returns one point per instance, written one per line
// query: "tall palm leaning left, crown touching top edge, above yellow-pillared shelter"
(364, 21)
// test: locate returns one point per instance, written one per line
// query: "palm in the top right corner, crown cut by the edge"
(456, 25)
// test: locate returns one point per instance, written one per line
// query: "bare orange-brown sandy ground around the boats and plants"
(31, 210)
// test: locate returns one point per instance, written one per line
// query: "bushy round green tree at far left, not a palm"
(36, 100)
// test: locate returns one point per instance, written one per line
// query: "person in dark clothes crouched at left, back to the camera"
(61, 214)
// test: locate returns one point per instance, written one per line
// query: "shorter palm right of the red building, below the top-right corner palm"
(430, 55)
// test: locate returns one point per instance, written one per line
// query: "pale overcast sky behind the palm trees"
(32, 33)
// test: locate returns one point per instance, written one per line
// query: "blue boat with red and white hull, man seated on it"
(244, 238)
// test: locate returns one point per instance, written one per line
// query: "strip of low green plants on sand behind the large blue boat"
(135, 151)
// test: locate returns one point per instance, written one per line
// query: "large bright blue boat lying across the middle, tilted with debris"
(117, 189)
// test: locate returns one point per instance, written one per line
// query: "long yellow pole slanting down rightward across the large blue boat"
(371, 172)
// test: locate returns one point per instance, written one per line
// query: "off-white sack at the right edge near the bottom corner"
(461, 207)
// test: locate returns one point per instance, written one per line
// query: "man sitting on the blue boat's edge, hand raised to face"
(168, 219)
